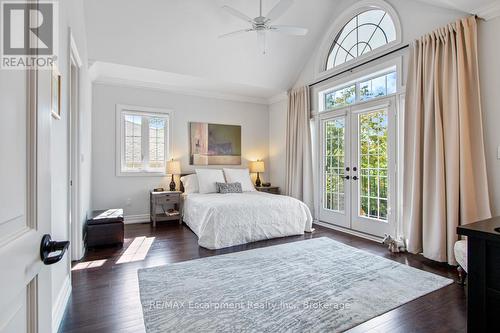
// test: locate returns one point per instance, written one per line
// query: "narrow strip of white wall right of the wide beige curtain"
(489, 66)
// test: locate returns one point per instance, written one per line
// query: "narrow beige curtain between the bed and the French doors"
(299, 176)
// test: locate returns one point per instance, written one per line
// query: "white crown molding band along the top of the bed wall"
(137, 77)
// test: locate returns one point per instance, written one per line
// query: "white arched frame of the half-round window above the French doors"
(339, 24)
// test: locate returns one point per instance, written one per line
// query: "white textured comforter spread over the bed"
(222, 220)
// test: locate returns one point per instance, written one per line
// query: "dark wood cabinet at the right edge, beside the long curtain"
(483, 272)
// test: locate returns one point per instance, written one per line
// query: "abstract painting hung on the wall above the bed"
(214, 144)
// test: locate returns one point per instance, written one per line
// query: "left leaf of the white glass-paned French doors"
(335, 189)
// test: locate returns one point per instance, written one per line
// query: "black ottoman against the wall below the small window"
(105, 227)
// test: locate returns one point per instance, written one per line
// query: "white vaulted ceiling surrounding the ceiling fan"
(181, 37)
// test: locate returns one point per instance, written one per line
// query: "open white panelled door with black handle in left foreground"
(25, 282)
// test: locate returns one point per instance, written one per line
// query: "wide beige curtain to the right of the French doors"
(445, 182)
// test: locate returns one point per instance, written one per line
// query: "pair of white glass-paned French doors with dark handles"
(358, 167)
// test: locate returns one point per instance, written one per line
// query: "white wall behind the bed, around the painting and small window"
(132, 193)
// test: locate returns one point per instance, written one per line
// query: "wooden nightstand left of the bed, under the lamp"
(164, 200)
